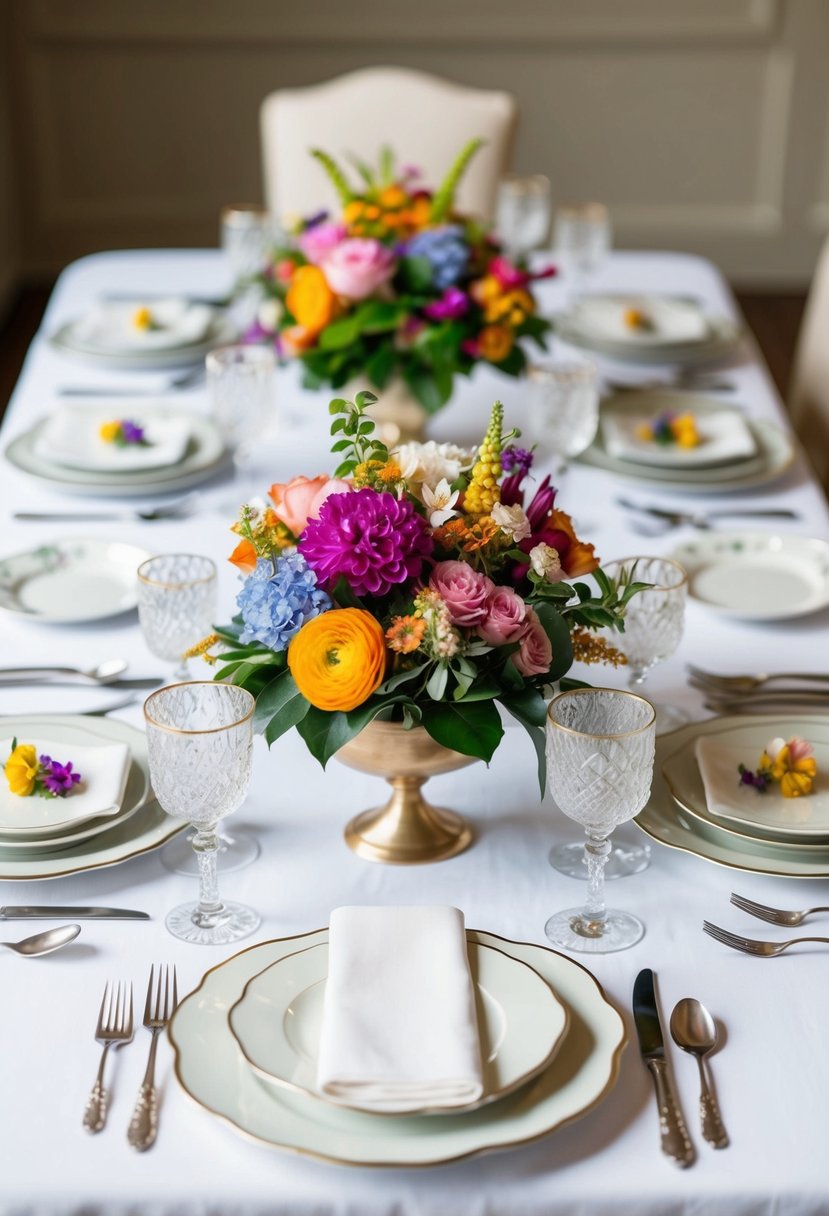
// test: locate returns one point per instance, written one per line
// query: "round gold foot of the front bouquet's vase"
(433, 835)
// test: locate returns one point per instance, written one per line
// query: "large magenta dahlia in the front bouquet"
(375, 541)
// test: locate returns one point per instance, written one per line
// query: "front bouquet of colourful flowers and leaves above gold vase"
(427, 586)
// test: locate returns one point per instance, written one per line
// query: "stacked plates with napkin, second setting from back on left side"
(66, 452)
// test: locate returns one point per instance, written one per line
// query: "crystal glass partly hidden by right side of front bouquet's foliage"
(655, 622)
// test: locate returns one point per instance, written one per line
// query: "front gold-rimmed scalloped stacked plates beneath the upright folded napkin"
(247, 1044)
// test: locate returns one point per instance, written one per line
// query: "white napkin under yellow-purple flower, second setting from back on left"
(71, 437)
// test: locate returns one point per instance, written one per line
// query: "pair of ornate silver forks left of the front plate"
(116, 1027)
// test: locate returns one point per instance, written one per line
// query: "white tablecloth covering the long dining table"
(771, 1071)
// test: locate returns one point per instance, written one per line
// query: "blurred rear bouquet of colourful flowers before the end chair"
(399, 284)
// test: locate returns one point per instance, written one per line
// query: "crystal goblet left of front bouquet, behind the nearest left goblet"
(177, 605)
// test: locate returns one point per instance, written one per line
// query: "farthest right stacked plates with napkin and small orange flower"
(648, 330)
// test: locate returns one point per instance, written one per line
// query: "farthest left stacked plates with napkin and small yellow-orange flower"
(172, 334)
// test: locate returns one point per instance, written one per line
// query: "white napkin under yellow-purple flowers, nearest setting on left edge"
(104, 770)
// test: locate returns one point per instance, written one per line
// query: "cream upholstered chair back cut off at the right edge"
(809, 395)
